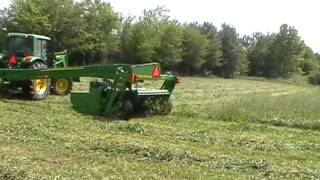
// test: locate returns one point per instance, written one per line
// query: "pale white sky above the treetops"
(247, 16)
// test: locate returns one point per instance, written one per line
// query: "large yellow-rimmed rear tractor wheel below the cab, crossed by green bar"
(37, 89)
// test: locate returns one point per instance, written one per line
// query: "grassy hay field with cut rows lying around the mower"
(227, 129)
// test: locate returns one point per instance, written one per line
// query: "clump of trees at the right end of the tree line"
(279, 55)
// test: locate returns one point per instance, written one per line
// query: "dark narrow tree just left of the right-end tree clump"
(234, 60)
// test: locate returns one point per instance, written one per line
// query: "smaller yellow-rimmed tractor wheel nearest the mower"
(62, 86)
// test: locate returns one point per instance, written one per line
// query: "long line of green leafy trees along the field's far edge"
(94, 33)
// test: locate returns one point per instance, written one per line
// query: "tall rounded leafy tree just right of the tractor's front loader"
(98, 39)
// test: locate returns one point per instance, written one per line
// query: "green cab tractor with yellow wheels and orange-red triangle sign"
(30, 51)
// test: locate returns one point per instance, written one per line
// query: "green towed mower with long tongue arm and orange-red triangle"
(117, 94)
